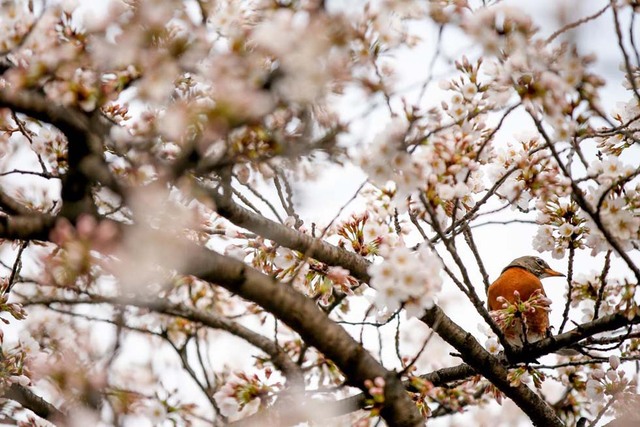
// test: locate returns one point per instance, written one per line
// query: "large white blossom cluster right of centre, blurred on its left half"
(440, 152)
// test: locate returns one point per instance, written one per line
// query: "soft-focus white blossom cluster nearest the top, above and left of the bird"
(552, 82)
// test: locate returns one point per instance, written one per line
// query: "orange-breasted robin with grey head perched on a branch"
(518, 282)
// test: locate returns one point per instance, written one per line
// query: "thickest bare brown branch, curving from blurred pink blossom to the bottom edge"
(303, 316)
